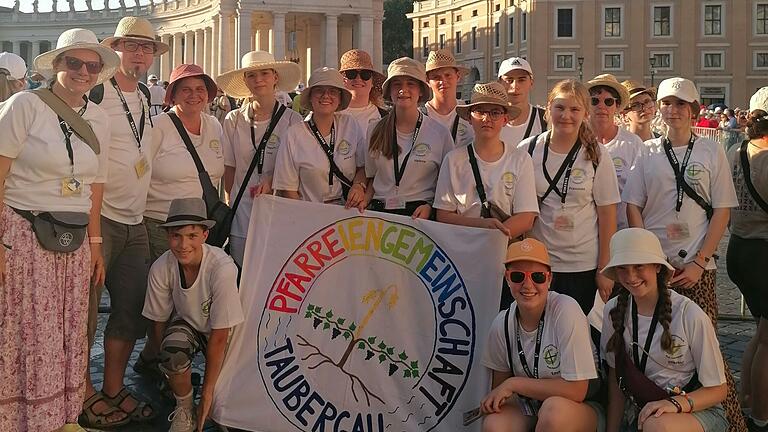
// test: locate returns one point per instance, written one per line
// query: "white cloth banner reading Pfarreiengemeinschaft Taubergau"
(359, 322)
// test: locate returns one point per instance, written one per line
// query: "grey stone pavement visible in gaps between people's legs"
(732, 333)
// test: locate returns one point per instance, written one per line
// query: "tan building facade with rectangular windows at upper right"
(722, 45)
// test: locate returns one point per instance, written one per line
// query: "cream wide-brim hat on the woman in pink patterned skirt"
(78, 38)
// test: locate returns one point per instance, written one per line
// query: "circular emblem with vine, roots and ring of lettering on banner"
(367, 327)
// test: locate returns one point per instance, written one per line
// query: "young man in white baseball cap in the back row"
(516, 75)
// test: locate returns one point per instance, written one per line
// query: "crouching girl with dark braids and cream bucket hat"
(668, 378)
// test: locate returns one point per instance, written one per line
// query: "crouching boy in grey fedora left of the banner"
(194, 285)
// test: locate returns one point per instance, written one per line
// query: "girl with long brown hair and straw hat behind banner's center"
(406, 148)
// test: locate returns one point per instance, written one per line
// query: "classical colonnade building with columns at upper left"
(213, 33)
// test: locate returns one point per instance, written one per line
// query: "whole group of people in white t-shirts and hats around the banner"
(612, 214)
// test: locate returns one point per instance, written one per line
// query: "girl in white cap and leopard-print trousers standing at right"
(681, 190)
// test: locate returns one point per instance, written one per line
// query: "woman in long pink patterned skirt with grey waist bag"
(46, 167)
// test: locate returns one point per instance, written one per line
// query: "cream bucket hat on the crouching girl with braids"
(632, 246)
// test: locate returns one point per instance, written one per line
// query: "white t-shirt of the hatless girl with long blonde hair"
(574, 249)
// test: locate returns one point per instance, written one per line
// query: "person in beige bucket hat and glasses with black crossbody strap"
(321, 155)
